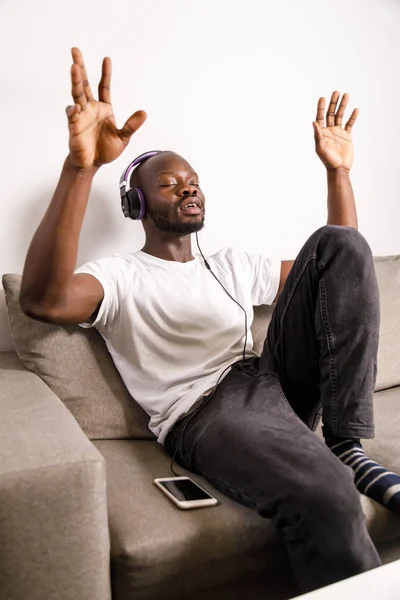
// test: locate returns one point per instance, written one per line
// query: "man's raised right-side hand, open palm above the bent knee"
(333, 142)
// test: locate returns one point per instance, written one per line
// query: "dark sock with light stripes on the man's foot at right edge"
(370, 478)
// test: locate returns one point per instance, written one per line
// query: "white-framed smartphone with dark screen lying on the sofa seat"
(184, 492)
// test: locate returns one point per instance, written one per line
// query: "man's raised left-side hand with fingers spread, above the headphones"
(94, 139)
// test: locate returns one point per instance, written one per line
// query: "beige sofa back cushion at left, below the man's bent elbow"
(76, 365)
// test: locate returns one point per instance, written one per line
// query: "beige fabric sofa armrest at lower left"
(54, 536)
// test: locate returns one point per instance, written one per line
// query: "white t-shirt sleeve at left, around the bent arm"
(112, 275)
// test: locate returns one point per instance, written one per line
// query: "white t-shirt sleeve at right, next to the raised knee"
(264, 275)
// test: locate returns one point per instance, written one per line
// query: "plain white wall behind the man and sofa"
(230, 85)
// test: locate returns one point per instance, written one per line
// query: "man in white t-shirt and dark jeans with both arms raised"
(244, 422)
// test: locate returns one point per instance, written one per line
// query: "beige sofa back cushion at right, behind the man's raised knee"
(388, 275)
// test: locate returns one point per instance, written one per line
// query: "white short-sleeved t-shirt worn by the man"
(170, 327)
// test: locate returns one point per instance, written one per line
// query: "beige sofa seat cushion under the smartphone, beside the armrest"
(161, 552)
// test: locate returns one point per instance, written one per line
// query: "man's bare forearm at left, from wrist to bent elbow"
(52, 255)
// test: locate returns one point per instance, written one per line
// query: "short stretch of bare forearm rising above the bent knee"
(341, 204)
